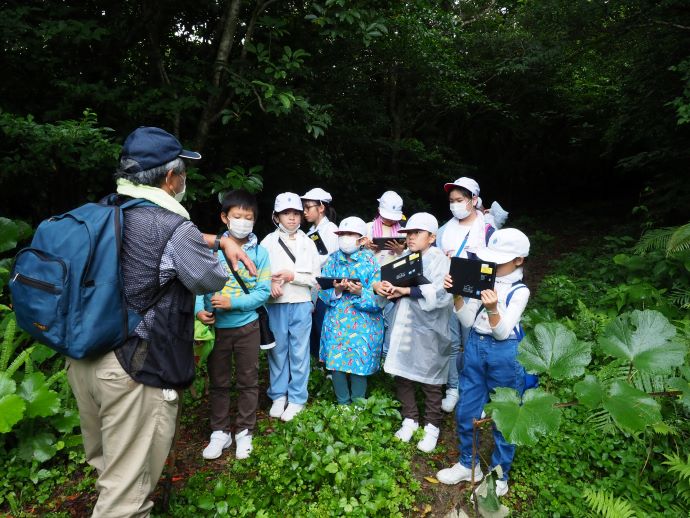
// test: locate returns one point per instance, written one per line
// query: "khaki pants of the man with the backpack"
(127, 429)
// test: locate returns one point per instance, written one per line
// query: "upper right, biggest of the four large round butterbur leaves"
(644, 338)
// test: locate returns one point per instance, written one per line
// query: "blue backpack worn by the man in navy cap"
(66, 287)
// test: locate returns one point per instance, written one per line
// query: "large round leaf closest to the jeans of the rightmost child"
(556, 351)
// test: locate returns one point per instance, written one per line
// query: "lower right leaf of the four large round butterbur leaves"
(631, 409)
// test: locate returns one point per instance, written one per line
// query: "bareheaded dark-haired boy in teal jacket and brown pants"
(233, 313)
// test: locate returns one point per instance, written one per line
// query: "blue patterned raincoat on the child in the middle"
(352, 335)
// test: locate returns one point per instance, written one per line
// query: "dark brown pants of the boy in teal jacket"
(243, 344)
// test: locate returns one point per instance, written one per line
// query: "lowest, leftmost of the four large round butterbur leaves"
(523, 422)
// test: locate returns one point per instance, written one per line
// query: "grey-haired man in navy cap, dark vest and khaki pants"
(128, 398)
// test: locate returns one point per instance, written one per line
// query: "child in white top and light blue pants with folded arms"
(295, 264)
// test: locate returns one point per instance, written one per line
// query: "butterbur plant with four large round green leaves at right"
(644, 346)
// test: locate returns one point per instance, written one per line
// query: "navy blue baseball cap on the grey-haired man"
(152, 147)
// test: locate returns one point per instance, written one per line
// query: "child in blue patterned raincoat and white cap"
(352, 333)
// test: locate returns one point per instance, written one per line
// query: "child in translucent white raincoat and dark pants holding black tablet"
(419, 334)
